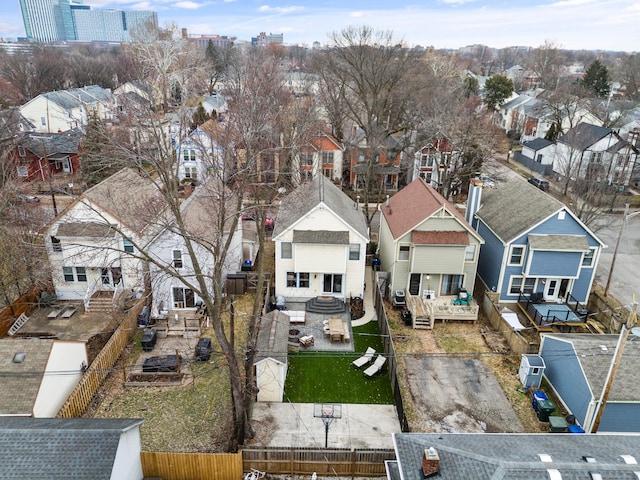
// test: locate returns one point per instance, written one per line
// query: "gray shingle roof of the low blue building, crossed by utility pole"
(596, 360)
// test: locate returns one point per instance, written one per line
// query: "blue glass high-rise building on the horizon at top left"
(69, 20)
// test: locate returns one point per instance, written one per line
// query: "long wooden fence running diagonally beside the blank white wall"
(90, 382)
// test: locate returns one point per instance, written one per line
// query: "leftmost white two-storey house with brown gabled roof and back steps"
(91, 246)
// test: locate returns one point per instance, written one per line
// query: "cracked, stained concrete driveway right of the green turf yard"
(458, 395)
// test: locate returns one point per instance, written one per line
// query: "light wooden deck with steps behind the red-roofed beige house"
(426, 310)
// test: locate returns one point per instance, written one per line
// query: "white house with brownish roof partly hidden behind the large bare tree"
(209, 206)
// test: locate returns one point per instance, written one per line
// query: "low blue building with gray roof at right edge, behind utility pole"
(577, 366)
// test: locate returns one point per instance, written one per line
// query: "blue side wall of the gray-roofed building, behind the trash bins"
(563, 371)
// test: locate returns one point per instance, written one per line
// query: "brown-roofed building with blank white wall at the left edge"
(39, 375)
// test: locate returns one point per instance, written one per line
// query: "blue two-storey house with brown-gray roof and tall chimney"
(534, 245)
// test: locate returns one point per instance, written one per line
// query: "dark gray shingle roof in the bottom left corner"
(59, 448)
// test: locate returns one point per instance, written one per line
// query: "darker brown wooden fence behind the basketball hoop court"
(328, 462)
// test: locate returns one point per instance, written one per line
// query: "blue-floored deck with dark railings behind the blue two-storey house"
(563, 316)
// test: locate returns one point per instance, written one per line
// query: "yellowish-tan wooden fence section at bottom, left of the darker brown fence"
(192, 466)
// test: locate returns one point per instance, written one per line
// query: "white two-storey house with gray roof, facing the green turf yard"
(320, 238)
